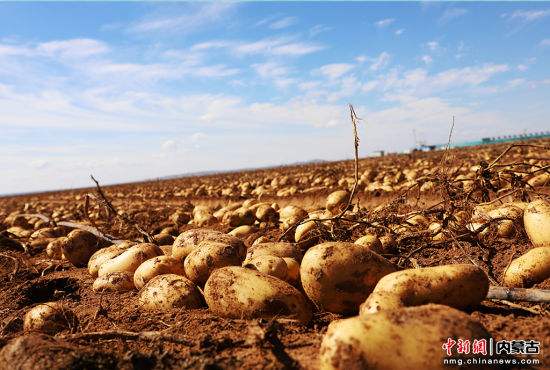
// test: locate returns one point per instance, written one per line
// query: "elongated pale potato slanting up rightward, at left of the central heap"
(130, 259)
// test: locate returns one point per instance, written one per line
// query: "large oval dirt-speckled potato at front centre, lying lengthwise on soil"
(238, 292)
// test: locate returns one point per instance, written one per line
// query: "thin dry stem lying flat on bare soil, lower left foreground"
(149, 336)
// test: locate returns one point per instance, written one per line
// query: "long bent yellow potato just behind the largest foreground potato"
(458, 286)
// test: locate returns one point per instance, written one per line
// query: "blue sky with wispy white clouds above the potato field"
(131, 91)
